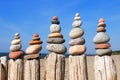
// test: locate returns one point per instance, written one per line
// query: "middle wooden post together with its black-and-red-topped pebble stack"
(55, 61)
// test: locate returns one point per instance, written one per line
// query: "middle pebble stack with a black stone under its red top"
(55, 39)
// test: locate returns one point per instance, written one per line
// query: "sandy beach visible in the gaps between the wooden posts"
(90, 67)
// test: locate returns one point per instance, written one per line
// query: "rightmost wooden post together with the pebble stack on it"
(104, 65)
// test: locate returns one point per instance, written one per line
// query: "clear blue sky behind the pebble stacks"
(34, 16)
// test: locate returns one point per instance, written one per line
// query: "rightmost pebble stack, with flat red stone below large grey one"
(101, 40)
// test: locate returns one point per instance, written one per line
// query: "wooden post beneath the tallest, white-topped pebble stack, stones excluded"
(77, 67)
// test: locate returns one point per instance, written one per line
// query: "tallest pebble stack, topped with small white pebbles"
(77, 42)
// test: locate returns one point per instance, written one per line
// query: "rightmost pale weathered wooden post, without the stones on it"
(105, 68)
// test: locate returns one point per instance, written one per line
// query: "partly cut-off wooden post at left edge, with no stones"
(3, 68)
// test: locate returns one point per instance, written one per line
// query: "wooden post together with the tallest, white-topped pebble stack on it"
(77, 58)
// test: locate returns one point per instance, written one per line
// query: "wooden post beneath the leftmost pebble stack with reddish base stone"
(15, 69)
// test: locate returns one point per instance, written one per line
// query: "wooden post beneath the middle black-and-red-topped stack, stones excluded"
(54, 67)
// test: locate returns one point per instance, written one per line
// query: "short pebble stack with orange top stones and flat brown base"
(33, 50)
